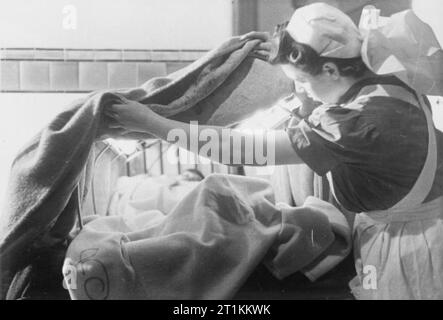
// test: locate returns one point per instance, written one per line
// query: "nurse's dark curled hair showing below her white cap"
(288, 51)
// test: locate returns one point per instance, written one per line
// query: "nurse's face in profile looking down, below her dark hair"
(324, 87)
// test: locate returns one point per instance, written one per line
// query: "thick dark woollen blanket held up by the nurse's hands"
(225, 86)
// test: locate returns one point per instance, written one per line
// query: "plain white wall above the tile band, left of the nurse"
(136, 24)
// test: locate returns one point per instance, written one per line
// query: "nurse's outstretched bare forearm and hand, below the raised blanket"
(258, 148)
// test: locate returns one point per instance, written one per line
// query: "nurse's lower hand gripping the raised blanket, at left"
(129, 115)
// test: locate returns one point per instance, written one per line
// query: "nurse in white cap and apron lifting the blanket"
(373, 137)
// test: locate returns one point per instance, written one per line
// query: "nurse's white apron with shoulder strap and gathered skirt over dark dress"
(399, 251)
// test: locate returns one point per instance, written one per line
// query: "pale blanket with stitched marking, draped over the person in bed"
(207, 246)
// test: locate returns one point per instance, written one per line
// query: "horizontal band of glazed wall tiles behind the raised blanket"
(64, 70)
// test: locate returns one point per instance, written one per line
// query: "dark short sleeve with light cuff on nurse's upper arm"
(331, 136)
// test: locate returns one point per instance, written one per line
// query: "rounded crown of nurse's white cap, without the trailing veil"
(329, 31)
